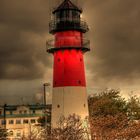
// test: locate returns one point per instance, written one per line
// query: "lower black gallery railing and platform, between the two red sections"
(51, 48)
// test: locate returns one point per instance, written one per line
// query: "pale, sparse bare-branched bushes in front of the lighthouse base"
(68, 128)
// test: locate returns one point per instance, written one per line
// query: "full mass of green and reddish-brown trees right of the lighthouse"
(110, 119)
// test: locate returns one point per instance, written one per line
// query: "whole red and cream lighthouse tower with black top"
(69, 84)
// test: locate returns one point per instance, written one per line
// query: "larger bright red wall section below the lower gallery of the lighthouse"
(68, 69)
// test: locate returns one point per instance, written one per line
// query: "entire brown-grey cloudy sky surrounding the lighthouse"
(114, 60)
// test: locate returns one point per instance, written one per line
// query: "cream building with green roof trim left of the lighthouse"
(19, 120)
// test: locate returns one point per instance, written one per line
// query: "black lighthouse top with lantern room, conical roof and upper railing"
(67, 17)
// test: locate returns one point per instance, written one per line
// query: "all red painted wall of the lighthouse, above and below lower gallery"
(68, 64)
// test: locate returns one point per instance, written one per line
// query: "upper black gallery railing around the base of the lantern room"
(62, 25)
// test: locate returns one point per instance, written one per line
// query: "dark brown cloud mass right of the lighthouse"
(115, 37)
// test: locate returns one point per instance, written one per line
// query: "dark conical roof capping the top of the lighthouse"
(67, 5)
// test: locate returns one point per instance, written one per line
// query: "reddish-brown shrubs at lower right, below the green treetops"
(114, 127)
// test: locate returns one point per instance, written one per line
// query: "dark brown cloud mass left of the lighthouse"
(23, 33)
